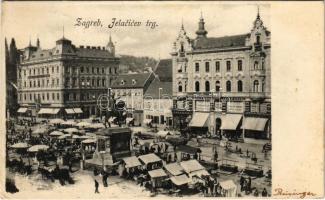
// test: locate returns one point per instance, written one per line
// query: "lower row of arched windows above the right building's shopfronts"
(256, 86)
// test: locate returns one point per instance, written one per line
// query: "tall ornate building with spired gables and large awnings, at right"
(223, 84)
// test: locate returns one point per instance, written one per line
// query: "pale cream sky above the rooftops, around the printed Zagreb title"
(26, 21)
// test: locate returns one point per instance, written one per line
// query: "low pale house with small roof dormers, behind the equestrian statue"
(131, 88)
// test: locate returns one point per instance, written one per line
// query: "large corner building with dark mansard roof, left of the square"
(65, 80)
